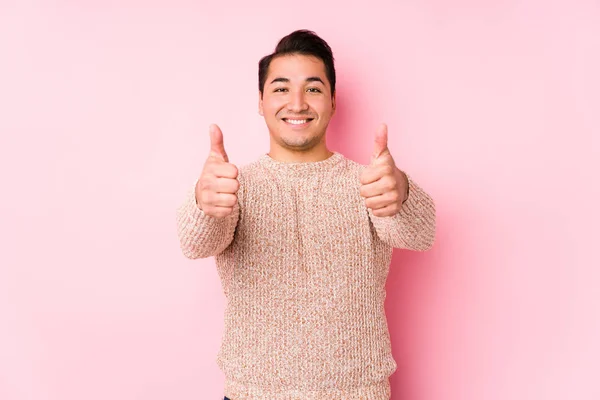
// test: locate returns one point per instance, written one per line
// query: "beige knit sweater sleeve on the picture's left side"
(202, 235)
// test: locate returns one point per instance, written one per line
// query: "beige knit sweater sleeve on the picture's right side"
(413, 227)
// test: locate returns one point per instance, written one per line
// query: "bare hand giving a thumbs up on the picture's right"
(383, 185)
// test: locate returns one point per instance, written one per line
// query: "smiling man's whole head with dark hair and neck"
(297, 92)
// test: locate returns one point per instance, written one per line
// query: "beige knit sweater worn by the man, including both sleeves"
(303, 265)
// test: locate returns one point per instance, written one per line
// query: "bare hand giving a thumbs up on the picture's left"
(217, 186)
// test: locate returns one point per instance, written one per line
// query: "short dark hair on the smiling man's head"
(303, 42)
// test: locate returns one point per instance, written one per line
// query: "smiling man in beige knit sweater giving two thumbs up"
(303, 239)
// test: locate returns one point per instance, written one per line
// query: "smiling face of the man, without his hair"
(296, 102)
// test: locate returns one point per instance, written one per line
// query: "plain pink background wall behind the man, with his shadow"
(492, 106)
